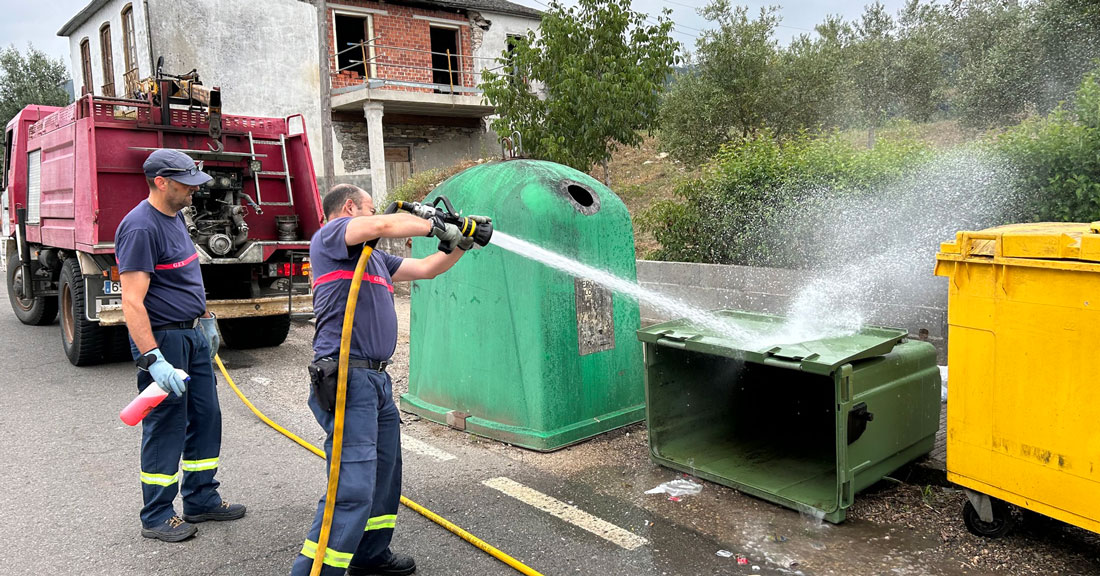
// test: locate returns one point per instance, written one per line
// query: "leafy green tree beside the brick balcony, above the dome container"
(602, 67)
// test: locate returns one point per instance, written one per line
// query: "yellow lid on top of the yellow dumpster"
(1039, 240)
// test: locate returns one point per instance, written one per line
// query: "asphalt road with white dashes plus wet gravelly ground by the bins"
(70, 491)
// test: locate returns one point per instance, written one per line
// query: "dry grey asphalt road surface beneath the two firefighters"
(71, 492)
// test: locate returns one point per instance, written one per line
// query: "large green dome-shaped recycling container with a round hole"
(511, 349)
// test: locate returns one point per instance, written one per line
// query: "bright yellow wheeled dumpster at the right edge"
(1024, 397)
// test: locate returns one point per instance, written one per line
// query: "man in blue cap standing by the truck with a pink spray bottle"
(164, 304)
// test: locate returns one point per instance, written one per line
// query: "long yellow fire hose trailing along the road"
(338, 440)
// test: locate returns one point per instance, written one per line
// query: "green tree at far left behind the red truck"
(31, 80)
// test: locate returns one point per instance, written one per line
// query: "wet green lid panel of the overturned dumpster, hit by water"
(818, 357)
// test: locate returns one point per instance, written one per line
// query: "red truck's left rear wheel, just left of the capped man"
(84, 341)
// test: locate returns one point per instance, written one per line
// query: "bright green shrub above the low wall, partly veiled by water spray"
(736, 213)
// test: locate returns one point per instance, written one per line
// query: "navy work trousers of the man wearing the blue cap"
(189, 427)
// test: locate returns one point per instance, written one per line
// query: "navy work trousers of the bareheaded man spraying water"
(370, 478)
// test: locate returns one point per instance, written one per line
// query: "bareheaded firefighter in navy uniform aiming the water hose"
(371, 466)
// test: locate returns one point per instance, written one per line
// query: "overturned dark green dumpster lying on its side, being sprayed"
(806, 425)
